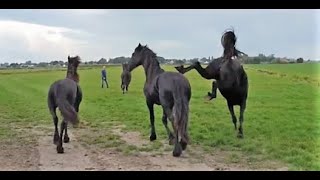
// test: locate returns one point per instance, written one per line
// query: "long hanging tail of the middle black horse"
(181, 111)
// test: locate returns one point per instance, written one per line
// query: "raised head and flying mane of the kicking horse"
(228, 41)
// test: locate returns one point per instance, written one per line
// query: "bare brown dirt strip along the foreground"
(85, 157)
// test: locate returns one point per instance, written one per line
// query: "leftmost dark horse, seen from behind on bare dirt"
(65, 94)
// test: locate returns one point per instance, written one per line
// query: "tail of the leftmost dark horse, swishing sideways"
(67, 110)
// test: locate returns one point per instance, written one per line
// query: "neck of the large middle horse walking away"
(151, 68)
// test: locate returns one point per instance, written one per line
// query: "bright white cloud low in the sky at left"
(20, 38)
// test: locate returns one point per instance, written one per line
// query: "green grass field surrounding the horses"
(281, 120)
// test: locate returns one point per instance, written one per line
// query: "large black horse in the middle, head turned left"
(171, 90)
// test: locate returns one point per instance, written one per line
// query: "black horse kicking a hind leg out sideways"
(231, 78)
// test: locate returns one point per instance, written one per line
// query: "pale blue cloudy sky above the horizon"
(43, 35)
